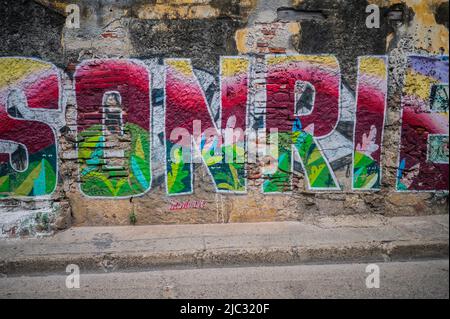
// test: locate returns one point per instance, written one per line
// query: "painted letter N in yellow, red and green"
(191, 130)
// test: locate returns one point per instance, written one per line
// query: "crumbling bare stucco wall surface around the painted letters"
(203, 31)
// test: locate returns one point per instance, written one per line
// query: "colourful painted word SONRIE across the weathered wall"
(302, 100)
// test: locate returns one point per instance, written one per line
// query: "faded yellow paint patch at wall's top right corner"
(427, 34)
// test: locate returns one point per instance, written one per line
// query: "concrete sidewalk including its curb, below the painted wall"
(324, 240)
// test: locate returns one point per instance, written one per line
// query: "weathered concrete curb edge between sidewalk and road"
(365, 252)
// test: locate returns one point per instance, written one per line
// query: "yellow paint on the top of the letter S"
(15, 69)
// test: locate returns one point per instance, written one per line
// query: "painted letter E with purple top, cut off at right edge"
(423, 155)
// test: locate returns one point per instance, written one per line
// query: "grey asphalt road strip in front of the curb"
(417, 279)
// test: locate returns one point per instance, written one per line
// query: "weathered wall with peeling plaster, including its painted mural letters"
(357, 74)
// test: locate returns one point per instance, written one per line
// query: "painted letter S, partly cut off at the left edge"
(30, 93)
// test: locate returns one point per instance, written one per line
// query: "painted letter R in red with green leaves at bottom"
(294, 131)
